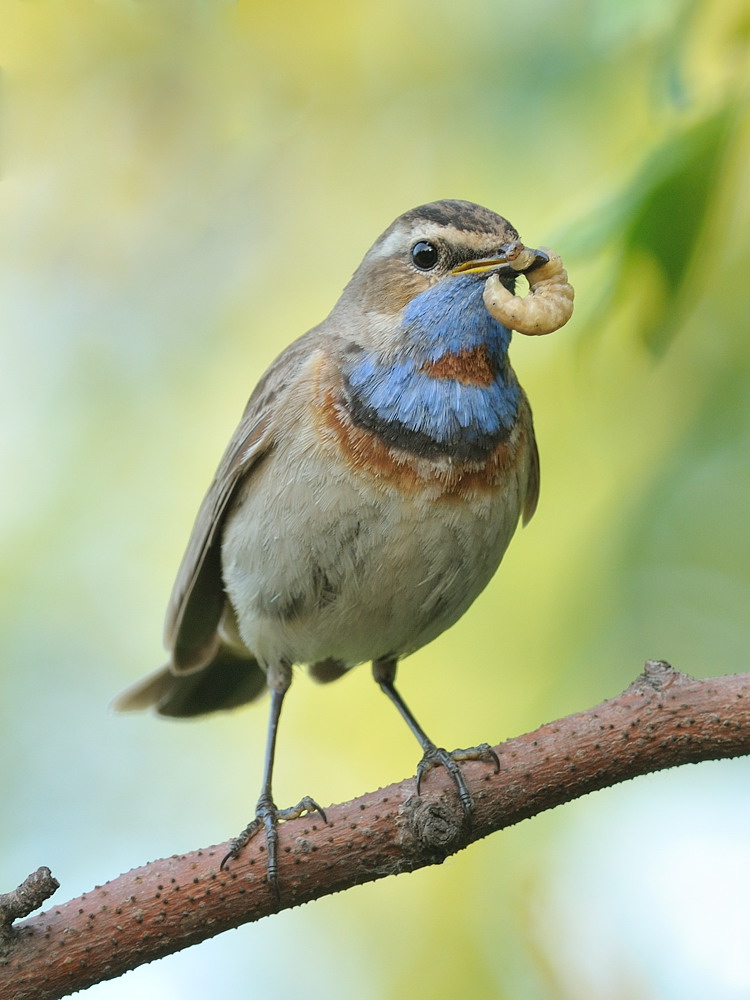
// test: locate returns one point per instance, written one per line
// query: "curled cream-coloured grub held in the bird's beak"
(548, 305)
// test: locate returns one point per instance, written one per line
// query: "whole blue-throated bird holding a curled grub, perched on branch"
(373, 484)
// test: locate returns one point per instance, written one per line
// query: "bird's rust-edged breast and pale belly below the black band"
(398, 547)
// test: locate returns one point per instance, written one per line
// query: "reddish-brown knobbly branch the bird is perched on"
(663, 719)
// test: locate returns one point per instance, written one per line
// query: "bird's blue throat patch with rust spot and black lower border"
(445, 387)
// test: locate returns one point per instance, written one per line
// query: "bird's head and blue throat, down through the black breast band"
(425, 365)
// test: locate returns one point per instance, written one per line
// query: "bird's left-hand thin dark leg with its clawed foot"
(267, 815)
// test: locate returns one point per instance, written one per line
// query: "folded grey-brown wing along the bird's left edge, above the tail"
(198, 598)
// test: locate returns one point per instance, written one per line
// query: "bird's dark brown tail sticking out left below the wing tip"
(226, 682)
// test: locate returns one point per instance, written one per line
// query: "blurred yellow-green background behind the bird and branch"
(187, 186)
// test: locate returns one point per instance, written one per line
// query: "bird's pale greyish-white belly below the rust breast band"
(350, 568)
